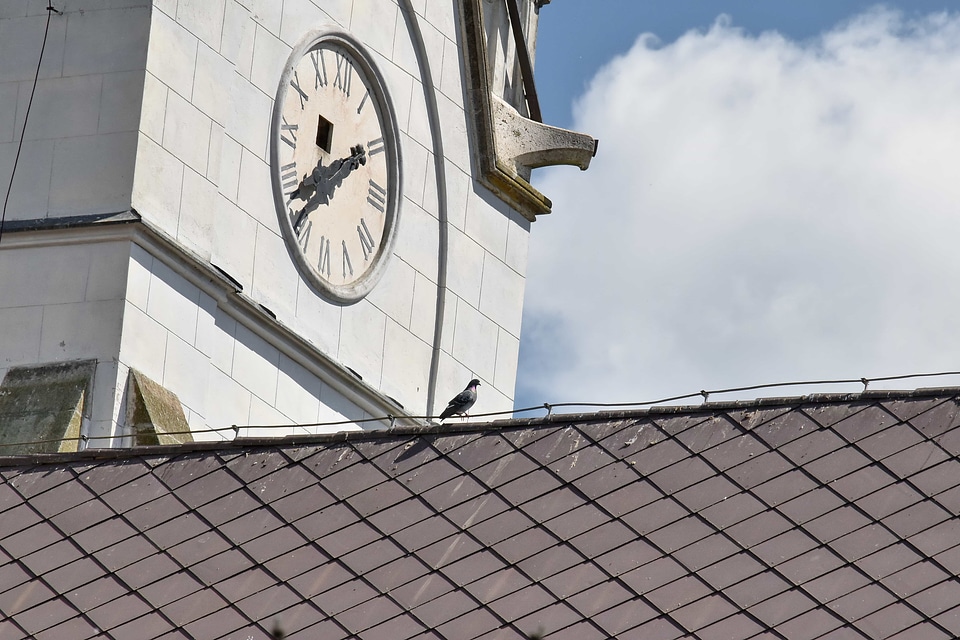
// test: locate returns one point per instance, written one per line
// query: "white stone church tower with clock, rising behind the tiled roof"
(258, 218)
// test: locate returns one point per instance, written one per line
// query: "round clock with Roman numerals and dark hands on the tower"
(335, 164)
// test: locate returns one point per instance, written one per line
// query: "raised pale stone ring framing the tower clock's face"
(356, 290)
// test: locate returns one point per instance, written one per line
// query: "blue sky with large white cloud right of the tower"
(776, 197)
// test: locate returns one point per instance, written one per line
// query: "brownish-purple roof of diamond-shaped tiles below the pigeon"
(828, 517)
